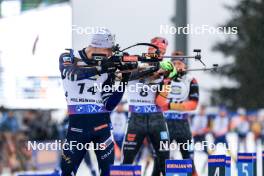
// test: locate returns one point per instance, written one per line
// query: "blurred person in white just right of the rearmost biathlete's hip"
(200, 127)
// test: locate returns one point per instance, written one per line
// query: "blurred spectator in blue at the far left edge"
(10, 123)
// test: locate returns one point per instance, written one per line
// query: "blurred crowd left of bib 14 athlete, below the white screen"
(17, 127)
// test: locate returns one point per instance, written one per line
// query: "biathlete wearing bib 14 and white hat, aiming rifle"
(88, 108)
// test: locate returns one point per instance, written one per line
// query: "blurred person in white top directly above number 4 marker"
(220, 127)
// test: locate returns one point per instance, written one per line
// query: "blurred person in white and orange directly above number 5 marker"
(241, 125)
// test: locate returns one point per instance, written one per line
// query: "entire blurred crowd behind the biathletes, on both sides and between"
(17, 127)
